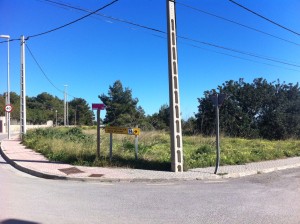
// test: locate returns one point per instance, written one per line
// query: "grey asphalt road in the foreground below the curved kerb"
(264, 198)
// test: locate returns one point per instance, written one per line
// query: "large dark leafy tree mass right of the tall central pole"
(252, 110)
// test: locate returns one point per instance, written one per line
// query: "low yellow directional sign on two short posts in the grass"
(125, 131)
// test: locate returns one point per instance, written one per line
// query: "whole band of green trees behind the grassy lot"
(260, 109)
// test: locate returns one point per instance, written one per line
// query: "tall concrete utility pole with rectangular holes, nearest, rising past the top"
(175, 122)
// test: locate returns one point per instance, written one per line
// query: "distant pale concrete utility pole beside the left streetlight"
(23, 90)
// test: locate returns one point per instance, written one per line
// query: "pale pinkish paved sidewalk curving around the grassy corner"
(36, 164)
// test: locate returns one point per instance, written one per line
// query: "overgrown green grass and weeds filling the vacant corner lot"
(78, 146)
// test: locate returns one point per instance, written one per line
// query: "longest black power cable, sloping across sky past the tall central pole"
(181, 37)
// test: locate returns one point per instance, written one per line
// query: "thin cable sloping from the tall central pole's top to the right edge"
(237, 23)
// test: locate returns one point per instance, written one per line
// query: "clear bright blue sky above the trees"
(93, 53)
